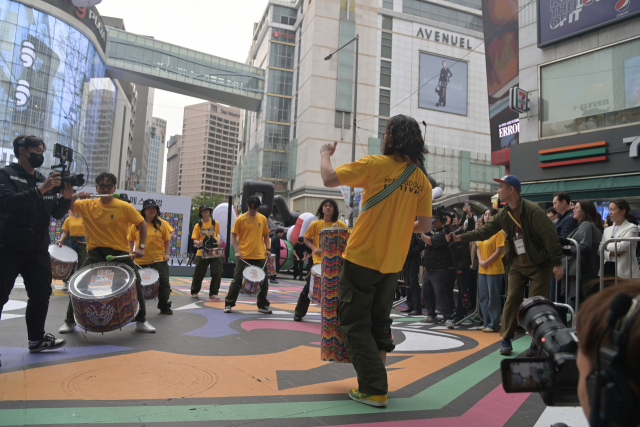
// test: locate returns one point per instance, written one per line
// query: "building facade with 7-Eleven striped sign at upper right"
(582, 130)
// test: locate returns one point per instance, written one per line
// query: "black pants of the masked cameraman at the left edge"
(35, 268)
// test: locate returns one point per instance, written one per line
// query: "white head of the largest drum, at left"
(102, 280)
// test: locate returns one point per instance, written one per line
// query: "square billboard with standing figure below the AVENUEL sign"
(443, 84)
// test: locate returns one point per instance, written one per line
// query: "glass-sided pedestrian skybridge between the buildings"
(149, 62)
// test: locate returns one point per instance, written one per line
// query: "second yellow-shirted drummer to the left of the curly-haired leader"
(250, 239)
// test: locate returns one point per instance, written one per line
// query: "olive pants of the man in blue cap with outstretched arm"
(519, 277)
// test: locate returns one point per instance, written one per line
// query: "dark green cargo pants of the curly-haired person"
(365, 298)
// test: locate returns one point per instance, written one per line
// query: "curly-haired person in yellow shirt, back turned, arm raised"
(396, 190)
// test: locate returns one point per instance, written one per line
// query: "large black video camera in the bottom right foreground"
(554, 376)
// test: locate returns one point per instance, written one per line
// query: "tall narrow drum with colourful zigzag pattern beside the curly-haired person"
(333, 241)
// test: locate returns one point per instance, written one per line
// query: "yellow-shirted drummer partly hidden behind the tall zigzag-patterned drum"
(327, 217)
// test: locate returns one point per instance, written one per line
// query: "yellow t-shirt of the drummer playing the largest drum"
(107, 225)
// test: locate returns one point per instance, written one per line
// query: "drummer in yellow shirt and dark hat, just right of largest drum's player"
(157, 250)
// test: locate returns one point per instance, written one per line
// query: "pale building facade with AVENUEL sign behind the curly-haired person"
(405, 46)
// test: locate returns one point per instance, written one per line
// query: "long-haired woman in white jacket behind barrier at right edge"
(620, 258)
